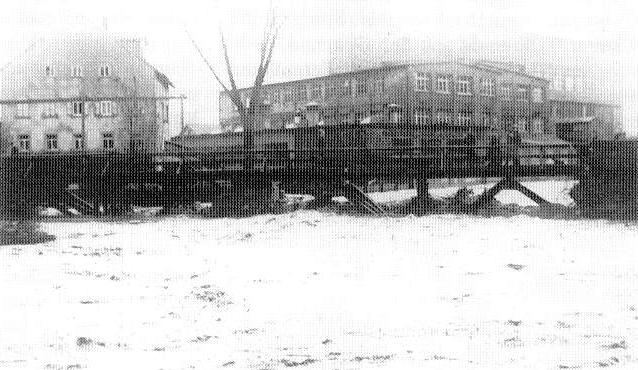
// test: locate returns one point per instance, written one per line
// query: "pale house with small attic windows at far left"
(87, 92)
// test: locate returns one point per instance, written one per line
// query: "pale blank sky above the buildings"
(599, 37)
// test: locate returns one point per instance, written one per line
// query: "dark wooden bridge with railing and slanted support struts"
(109, 182)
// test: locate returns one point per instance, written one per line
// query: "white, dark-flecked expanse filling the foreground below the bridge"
(321, 291)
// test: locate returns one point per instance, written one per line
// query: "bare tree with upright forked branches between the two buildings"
(247, 111)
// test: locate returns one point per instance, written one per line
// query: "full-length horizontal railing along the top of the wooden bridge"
(439, 158)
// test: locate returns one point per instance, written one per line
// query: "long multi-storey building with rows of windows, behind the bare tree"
(449, 98)
